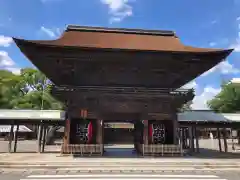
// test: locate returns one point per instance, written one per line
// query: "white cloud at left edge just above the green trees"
(7, 63)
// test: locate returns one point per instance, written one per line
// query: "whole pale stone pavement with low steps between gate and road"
(52, 162)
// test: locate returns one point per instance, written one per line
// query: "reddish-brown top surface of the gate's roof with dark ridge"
(119, 38)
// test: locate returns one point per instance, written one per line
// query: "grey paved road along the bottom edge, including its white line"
(119, 176)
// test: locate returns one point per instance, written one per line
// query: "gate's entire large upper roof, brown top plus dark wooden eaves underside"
(106, 56)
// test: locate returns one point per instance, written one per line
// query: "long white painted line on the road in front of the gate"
(123, 176)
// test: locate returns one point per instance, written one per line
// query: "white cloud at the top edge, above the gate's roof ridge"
(118, 9)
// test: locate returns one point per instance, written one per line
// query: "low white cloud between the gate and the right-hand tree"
(200, 101)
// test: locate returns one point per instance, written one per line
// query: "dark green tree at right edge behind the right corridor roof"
(228, 100)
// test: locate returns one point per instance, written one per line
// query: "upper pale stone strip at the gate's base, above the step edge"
(34, 158)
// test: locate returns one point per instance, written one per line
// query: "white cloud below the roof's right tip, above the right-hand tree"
(224, 68)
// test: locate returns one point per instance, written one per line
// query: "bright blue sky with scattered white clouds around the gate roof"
(201, 23)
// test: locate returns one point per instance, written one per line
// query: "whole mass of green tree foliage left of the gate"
(29, 90)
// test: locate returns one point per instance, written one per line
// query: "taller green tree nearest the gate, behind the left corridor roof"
(35, 92)
